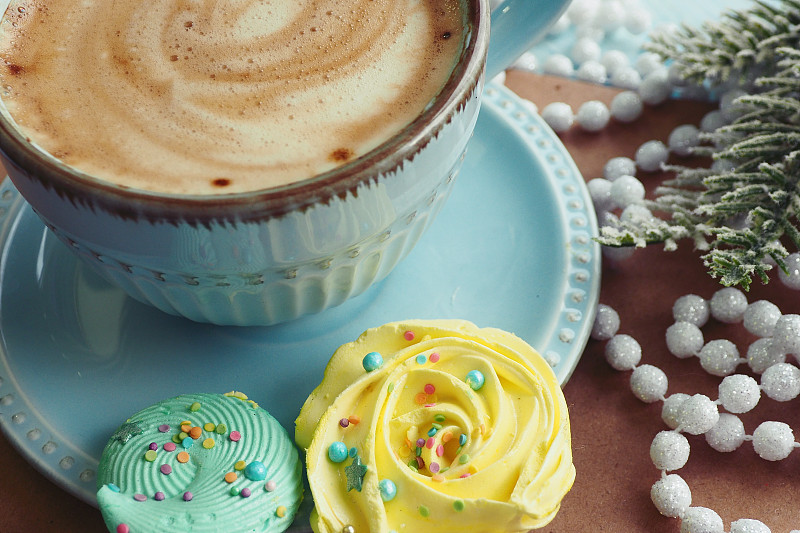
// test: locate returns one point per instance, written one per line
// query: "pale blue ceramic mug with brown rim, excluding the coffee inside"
(267, 256)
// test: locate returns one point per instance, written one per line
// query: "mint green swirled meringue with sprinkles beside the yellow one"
(213, 508)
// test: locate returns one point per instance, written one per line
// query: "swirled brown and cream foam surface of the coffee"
(209, 96)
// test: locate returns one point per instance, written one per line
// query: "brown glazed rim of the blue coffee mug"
(134, 204)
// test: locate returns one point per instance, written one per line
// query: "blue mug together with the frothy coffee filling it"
(246, 162)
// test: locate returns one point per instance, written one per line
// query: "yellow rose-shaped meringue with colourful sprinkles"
(436, 426)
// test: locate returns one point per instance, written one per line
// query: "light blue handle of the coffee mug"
(516, 26)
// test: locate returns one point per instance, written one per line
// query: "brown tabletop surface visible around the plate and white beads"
(611, 430)
